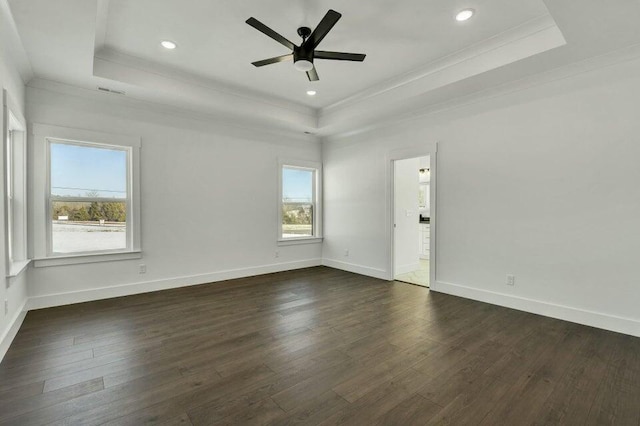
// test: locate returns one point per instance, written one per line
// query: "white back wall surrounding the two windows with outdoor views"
(208, 199)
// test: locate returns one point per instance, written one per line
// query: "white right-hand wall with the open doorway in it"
(543, 183)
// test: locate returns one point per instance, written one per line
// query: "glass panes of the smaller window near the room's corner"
(297, 203)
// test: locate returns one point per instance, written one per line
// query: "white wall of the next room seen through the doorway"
(406, 231)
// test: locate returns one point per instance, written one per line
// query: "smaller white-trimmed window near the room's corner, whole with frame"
(300, 209)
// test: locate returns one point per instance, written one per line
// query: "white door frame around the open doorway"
(430, 149)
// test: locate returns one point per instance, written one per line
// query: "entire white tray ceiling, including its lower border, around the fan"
(416, 52)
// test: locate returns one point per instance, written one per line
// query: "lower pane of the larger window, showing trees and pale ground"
(88, 226)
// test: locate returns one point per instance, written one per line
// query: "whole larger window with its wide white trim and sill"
(91, 203)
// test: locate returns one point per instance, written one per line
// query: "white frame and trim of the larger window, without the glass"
(44, 136)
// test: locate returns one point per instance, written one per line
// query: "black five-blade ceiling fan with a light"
(304, 54)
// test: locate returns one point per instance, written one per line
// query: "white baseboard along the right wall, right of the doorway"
(580, 316)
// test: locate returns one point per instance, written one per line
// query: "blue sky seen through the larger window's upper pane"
(76, 170)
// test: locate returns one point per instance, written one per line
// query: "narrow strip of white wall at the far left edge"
(15, 290)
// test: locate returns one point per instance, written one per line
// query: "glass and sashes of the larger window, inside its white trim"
(88, 197)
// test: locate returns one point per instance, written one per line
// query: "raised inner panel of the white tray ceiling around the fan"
(215, 42)
